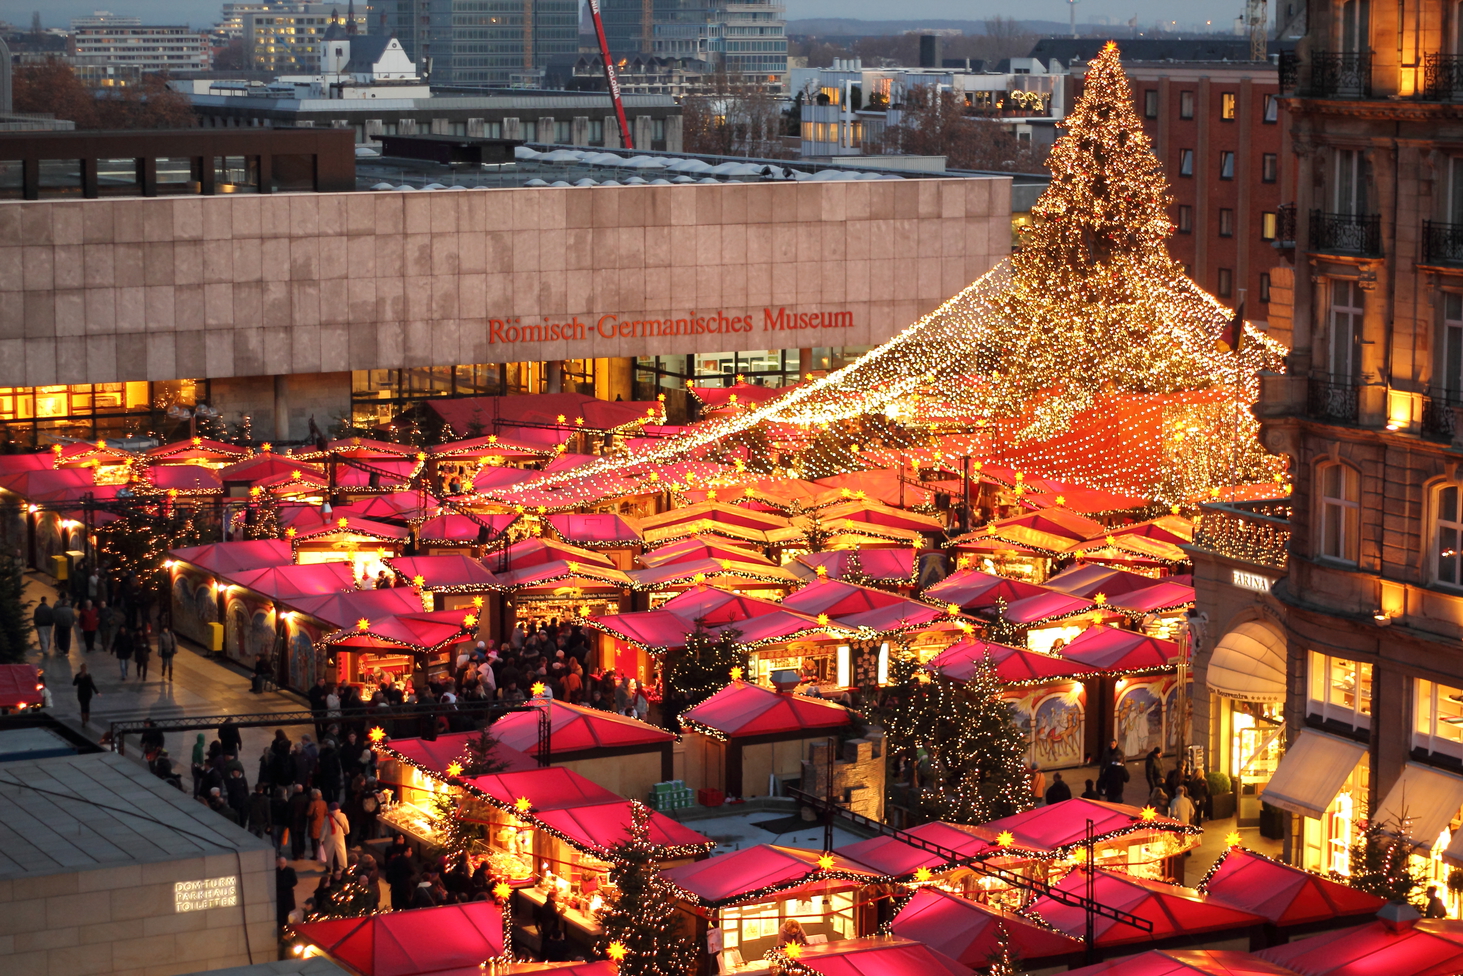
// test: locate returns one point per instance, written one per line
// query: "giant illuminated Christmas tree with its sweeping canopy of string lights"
(1089, 355)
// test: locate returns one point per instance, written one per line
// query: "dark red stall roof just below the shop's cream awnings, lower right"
(1282, 893)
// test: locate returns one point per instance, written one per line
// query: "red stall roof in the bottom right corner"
(1430, 947)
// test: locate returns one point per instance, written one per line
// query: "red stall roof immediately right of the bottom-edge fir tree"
(760, 873)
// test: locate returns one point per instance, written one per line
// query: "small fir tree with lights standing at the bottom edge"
(642, 927)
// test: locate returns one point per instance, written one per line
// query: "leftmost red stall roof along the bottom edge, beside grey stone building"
(415, 943)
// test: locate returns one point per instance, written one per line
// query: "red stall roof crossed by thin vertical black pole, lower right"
(1173, 909)
